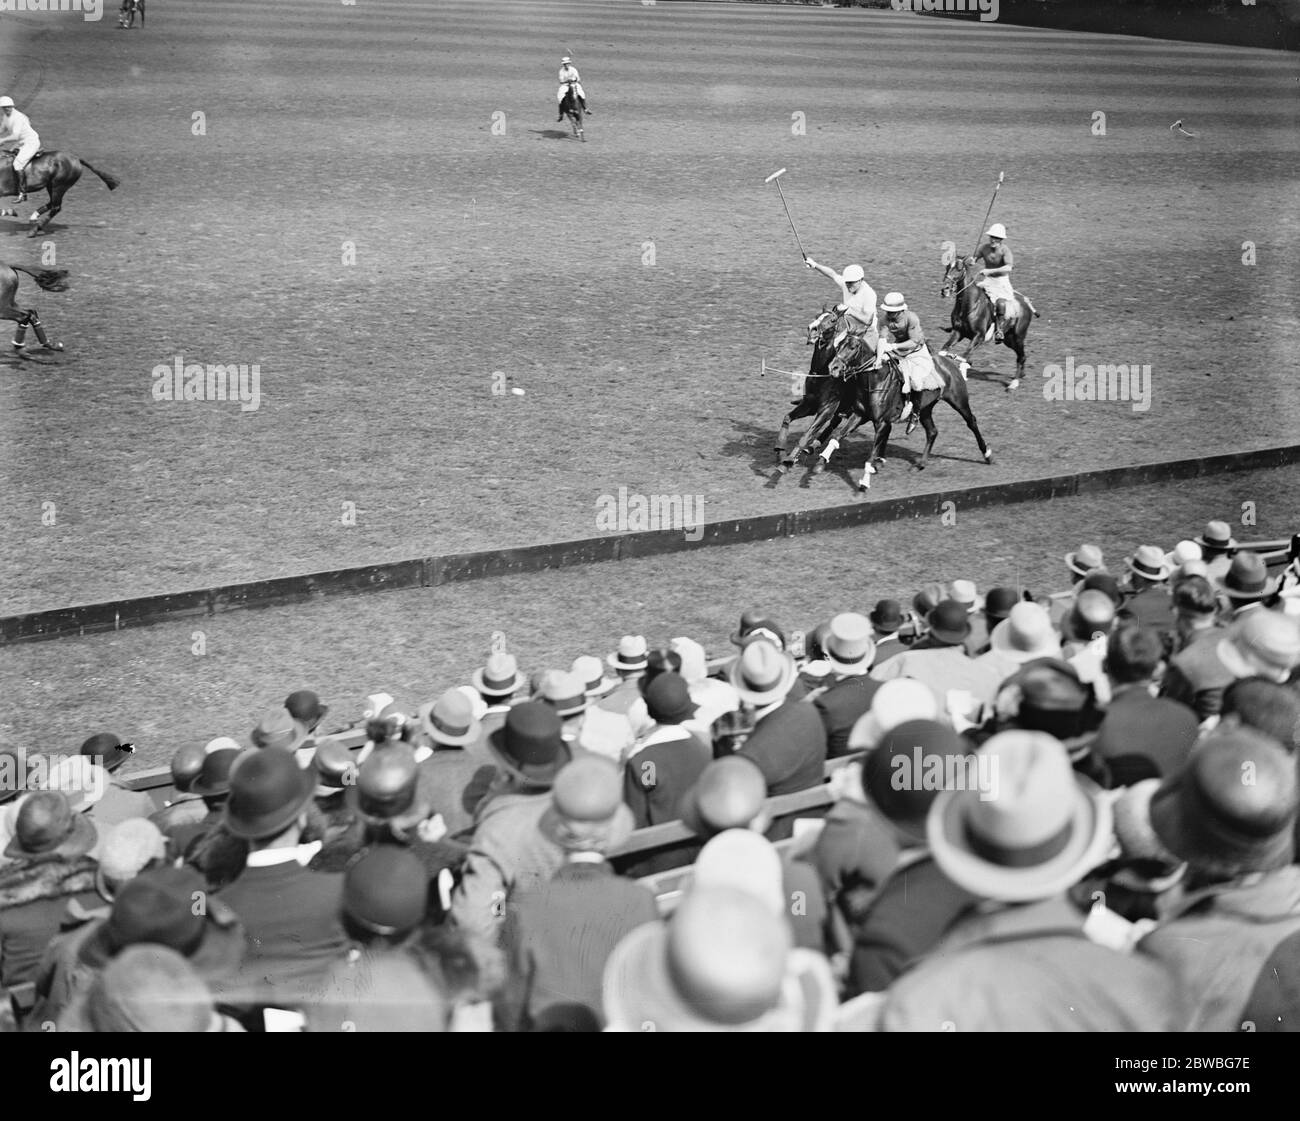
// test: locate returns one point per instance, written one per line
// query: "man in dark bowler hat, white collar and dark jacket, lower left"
(291, 915)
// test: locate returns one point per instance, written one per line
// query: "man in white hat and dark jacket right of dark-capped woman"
(788, 742)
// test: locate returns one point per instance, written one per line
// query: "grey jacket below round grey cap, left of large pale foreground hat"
(558, 938)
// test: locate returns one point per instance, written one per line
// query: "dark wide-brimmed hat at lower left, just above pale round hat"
(158, 907)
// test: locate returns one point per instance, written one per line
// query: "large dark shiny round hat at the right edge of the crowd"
(1221, 825)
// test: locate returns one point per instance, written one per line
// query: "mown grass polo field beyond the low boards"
(379, 211)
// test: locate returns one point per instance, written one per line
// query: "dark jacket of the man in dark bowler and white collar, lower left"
(293, 921)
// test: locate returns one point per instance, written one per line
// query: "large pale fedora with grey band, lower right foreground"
(1034, 836)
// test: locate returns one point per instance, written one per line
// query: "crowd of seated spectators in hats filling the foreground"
(977, 812)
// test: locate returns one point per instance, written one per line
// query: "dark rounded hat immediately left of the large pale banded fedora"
(900, 773)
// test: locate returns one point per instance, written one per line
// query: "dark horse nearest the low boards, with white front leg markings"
(879, 400)
